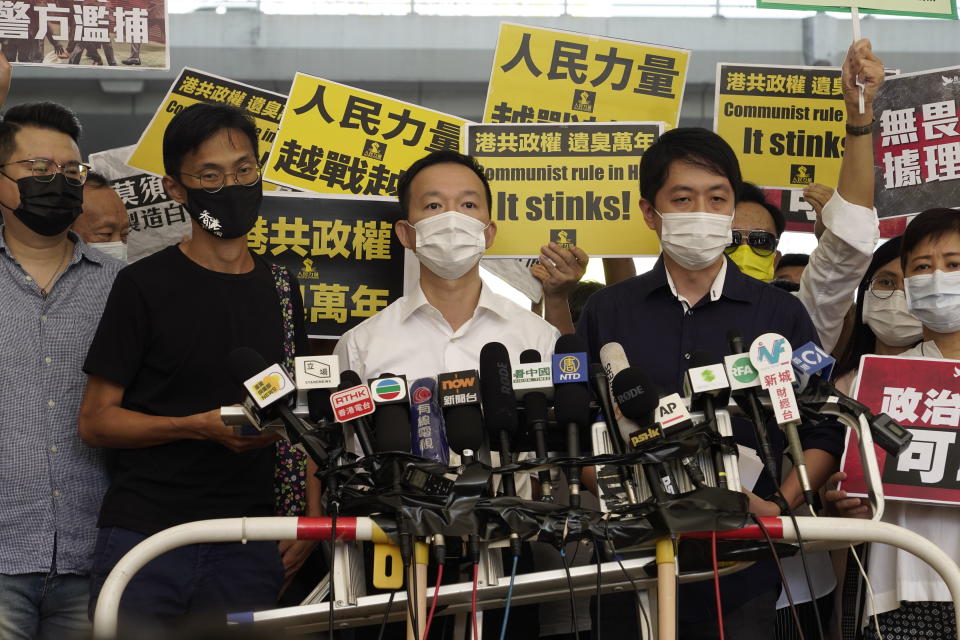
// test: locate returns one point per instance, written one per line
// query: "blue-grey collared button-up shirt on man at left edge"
(52, 483)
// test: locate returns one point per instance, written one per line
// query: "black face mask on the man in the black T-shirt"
(228, 213)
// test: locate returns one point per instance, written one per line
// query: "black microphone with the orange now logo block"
(460, 403)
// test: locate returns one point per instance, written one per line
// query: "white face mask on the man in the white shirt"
(450, 243)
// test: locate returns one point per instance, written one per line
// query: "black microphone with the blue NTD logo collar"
(571, 401)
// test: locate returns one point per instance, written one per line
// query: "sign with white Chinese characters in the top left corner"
(123, 34)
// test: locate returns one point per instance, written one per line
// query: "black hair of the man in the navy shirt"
(695, 145)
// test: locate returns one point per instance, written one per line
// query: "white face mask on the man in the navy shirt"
(695, 240)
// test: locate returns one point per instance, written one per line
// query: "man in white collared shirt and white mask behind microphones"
(452, 314)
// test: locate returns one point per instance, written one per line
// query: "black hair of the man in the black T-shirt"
(195, 125)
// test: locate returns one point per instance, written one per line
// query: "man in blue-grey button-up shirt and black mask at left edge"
(53, 287)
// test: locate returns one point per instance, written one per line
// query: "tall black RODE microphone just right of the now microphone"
(499, 405)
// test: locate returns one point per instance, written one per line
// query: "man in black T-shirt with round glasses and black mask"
(158, 376)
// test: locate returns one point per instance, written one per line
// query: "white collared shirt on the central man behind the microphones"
(411, 337)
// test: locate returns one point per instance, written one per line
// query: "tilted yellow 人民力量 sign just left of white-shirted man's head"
(339, 139)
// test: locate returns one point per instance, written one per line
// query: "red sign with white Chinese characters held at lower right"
(923, 395)
